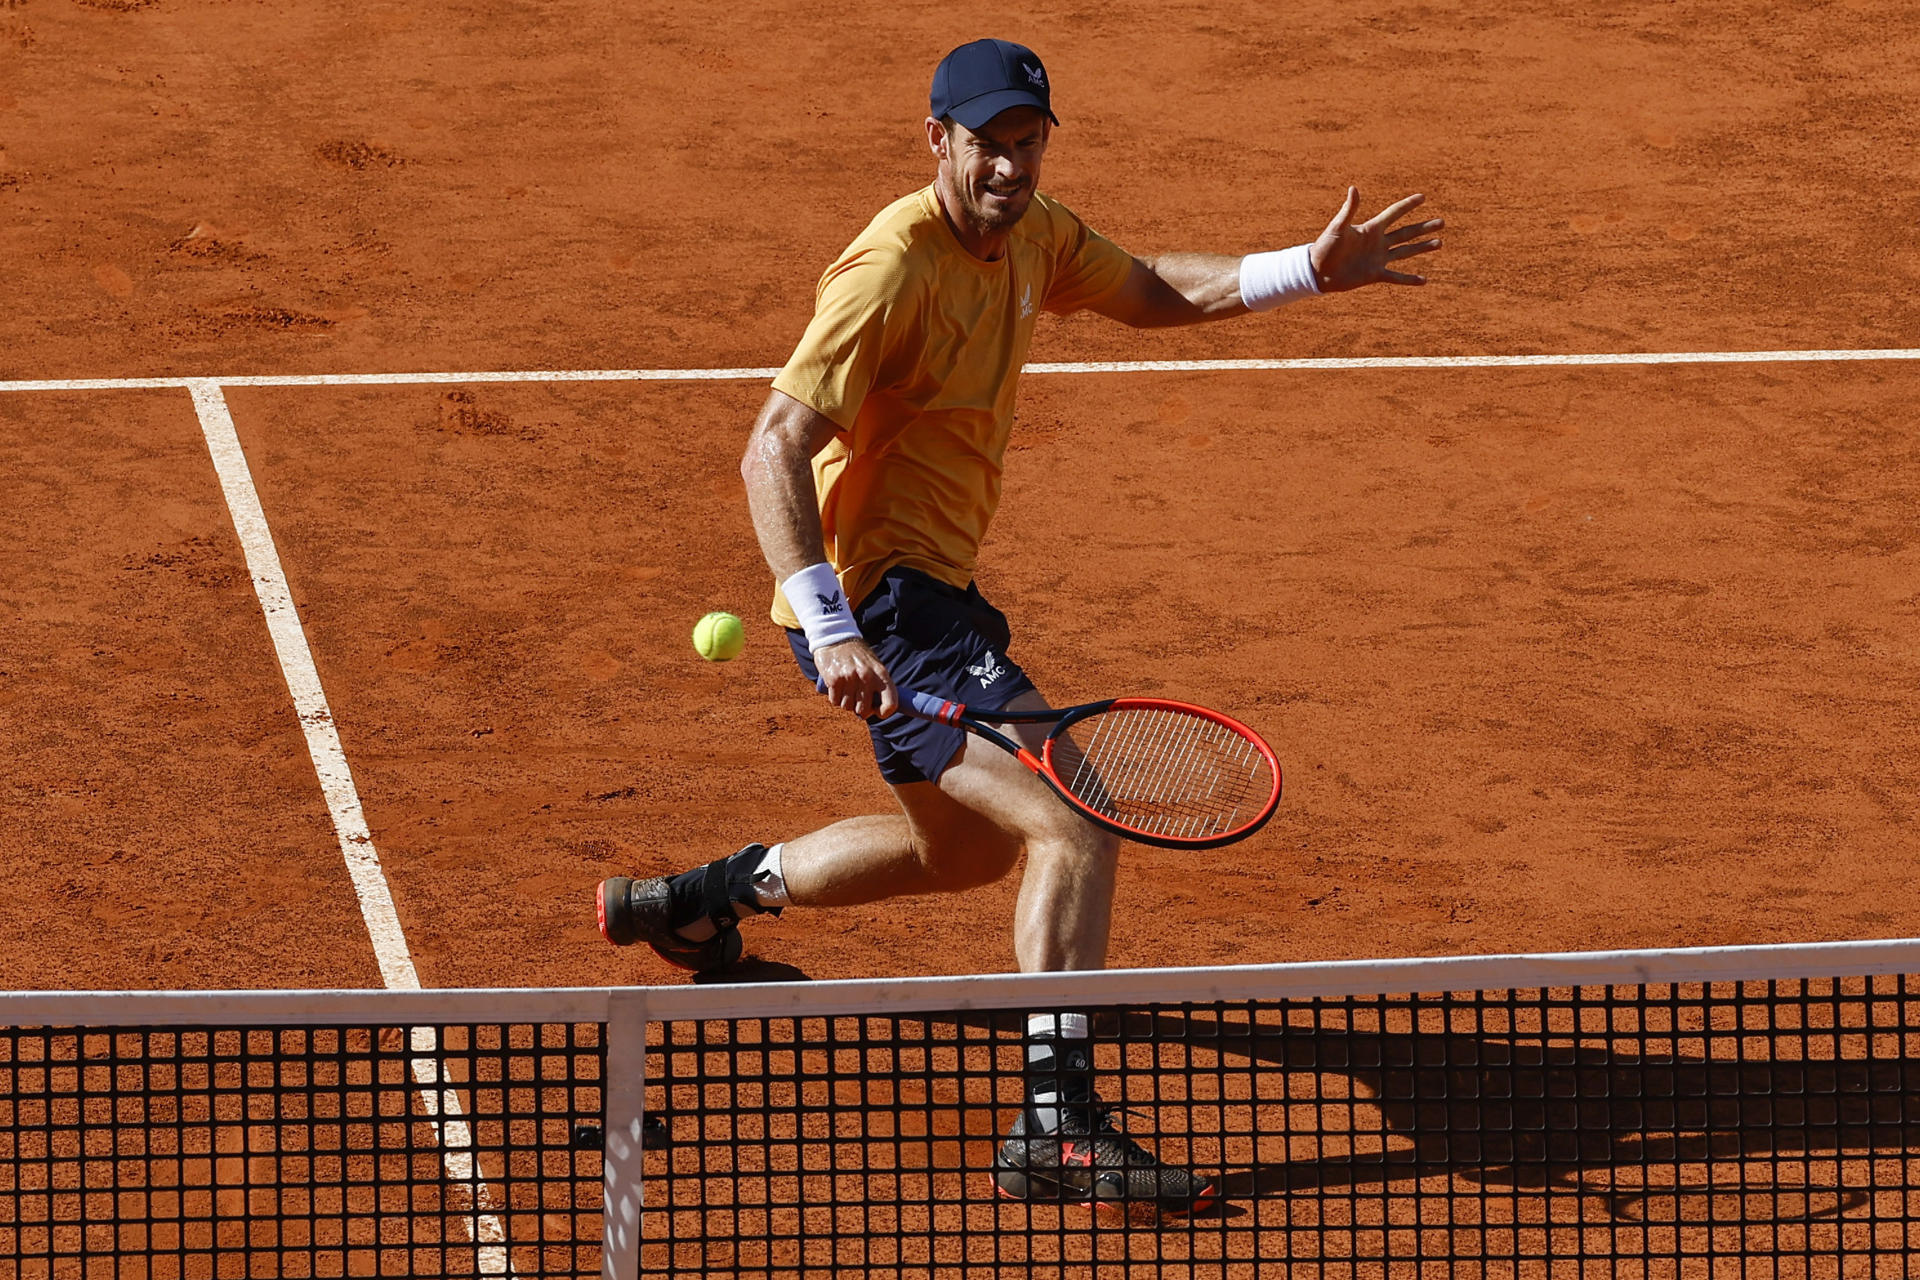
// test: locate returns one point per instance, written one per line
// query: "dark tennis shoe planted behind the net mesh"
(1092, 1162)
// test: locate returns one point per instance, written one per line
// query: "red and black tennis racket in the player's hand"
(1151, 770)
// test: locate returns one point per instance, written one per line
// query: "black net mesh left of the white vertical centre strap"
(201, 1154)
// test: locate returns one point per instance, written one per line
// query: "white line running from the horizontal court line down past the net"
(350, 824)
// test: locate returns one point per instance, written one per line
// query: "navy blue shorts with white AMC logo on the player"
(938, 640)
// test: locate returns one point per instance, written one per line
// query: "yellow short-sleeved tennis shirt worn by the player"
(913, 352)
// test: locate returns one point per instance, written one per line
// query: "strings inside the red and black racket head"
(1164, 772)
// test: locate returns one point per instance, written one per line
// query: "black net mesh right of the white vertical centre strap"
(1727, 1129)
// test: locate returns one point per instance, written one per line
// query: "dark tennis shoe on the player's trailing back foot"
(654, 911)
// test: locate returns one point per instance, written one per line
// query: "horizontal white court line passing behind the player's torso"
(1080, 367)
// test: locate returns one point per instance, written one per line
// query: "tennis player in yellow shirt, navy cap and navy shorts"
(873, 473)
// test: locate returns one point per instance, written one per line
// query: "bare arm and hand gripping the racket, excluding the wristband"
(779, 469)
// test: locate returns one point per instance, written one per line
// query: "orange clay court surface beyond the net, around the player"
(1554, 659)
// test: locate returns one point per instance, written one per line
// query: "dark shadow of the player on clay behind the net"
(1537, 1114)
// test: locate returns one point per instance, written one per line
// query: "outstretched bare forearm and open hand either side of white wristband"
(1188, 289)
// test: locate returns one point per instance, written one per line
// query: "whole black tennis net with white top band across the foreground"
(1723, 1112)
